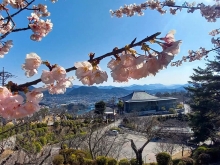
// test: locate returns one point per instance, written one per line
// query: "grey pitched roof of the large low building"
(142, 96)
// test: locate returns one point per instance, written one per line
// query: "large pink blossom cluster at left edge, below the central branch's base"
(13, 106)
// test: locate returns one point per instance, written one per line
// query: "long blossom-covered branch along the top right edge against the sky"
(211, 13)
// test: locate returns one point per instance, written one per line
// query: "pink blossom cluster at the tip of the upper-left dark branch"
(40, 27)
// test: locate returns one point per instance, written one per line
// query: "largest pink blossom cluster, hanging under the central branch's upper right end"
(129, 66)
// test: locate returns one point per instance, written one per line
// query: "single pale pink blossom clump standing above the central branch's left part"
(32, 63)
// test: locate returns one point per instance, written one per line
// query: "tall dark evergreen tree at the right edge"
(204, 91)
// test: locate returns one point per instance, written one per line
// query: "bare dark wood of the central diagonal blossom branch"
(131, 45)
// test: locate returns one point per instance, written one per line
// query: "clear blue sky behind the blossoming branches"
(85, 26)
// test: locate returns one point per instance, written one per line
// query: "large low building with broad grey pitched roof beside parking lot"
(144, 102)
